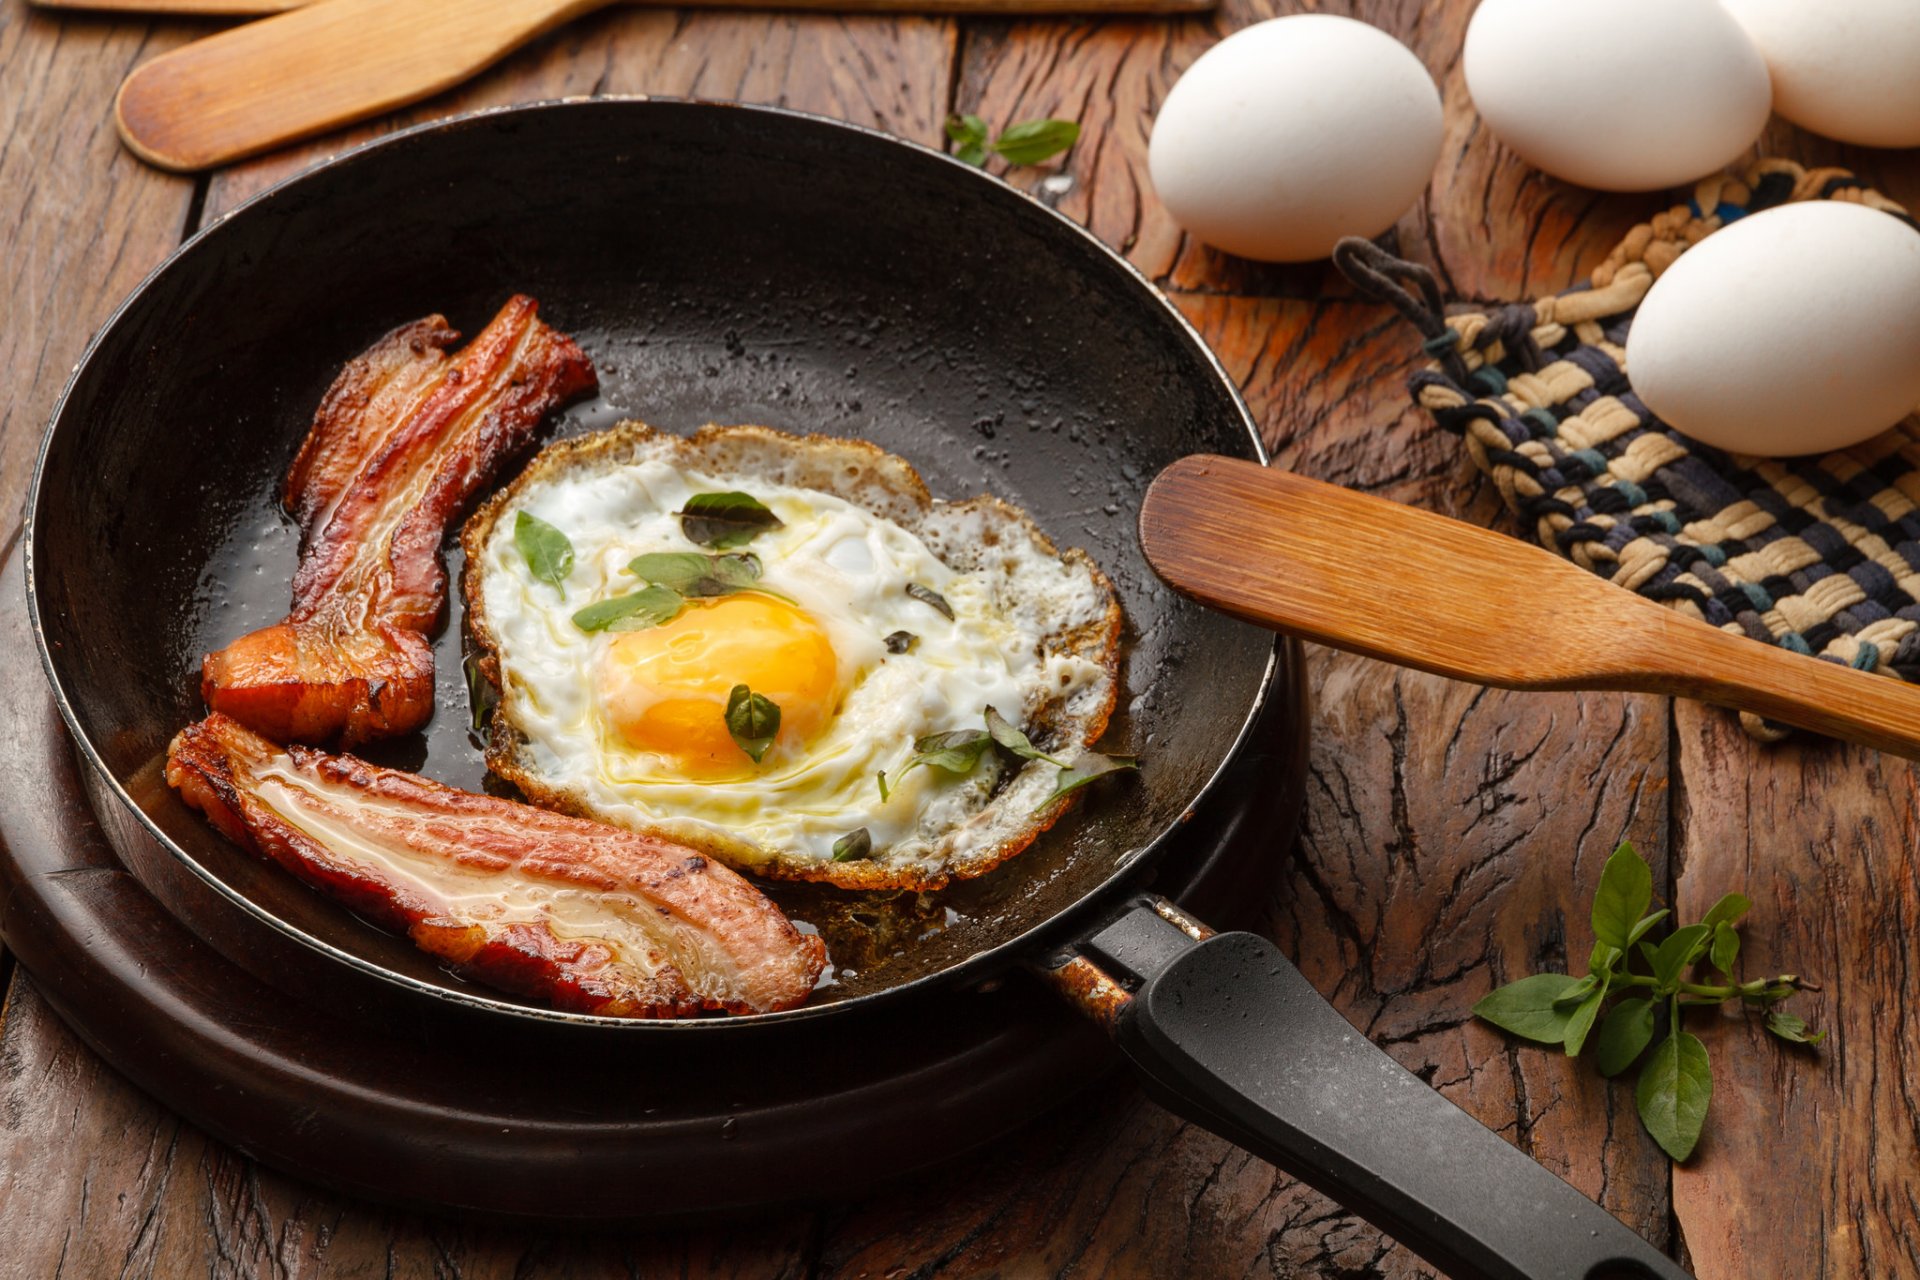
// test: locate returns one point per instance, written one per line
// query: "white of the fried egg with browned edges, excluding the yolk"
(1032, 636)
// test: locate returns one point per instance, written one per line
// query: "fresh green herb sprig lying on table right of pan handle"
(1675, 1079)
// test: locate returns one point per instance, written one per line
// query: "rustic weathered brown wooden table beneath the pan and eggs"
(1452, 840)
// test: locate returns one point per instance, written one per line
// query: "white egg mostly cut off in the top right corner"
(1842, 68)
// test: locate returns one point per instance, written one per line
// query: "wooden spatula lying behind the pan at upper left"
(335, 62)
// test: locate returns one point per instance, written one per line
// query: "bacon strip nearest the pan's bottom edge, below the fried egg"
(569, 913)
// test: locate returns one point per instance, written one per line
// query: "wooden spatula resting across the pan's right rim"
(1420, 590)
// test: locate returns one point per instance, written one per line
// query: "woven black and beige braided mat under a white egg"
(1817, 554)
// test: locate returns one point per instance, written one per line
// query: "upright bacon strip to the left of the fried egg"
(400, 444)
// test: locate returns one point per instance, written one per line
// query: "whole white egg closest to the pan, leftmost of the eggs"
(1293, 133)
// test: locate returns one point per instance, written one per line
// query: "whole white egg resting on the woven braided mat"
(1792, 331)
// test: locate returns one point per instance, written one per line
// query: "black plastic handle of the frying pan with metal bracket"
(1228, 1033)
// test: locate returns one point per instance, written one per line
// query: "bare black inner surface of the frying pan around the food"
(719, 266)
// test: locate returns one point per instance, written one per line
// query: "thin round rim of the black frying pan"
(994, 959)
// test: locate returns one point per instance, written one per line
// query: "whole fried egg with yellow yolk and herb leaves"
(869, 613)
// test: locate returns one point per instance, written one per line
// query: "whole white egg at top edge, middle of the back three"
(1618, 95)
